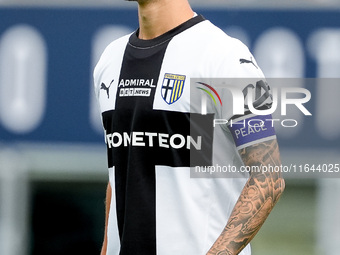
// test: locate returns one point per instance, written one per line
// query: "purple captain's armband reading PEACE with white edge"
(251, 129)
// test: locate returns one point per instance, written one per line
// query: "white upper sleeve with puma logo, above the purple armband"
(243, 78)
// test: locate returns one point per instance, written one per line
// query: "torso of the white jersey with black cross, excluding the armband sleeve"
(143, 88)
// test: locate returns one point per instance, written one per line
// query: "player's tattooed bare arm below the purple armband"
(256, 201)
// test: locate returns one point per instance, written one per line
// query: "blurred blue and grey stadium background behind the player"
(52, 155)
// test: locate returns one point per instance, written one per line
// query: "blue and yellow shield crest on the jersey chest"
(172, 88)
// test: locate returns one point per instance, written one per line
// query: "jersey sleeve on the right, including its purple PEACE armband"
(247, 99)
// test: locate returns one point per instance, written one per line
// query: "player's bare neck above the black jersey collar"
(159, 16)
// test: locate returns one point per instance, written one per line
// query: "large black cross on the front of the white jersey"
(135, 165)
